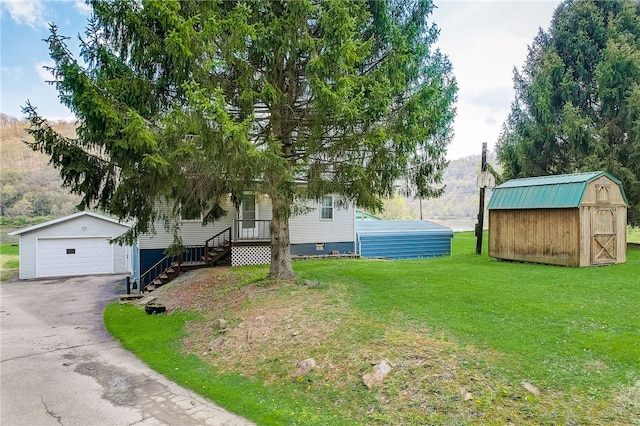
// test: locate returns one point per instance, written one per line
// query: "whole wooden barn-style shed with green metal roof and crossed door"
(572, 220)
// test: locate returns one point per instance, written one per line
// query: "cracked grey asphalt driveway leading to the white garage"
(59, 366)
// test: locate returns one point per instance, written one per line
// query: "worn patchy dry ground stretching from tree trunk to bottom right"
(263, 330)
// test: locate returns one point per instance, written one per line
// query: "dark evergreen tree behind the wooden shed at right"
(577, 105)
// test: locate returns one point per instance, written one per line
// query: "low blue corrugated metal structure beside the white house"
(402, 239)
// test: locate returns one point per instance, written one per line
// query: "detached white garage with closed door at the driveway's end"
(78, 244)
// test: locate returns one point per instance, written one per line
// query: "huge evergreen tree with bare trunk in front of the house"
(195, 100)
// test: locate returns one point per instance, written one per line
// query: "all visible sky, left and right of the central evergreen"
(484, 40)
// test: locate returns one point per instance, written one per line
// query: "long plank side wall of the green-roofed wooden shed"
(542, 235)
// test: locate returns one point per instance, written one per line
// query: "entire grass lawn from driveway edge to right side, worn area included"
(471, 340)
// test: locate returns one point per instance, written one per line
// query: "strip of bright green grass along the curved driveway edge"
(158, 346)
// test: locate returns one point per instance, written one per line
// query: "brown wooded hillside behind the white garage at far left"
(29, 185)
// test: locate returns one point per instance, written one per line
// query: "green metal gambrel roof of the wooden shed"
(545, 192)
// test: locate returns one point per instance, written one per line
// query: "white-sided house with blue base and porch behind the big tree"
(325, 228)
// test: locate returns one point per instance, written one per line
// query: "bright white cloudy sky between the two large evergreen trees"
(485, 40)
